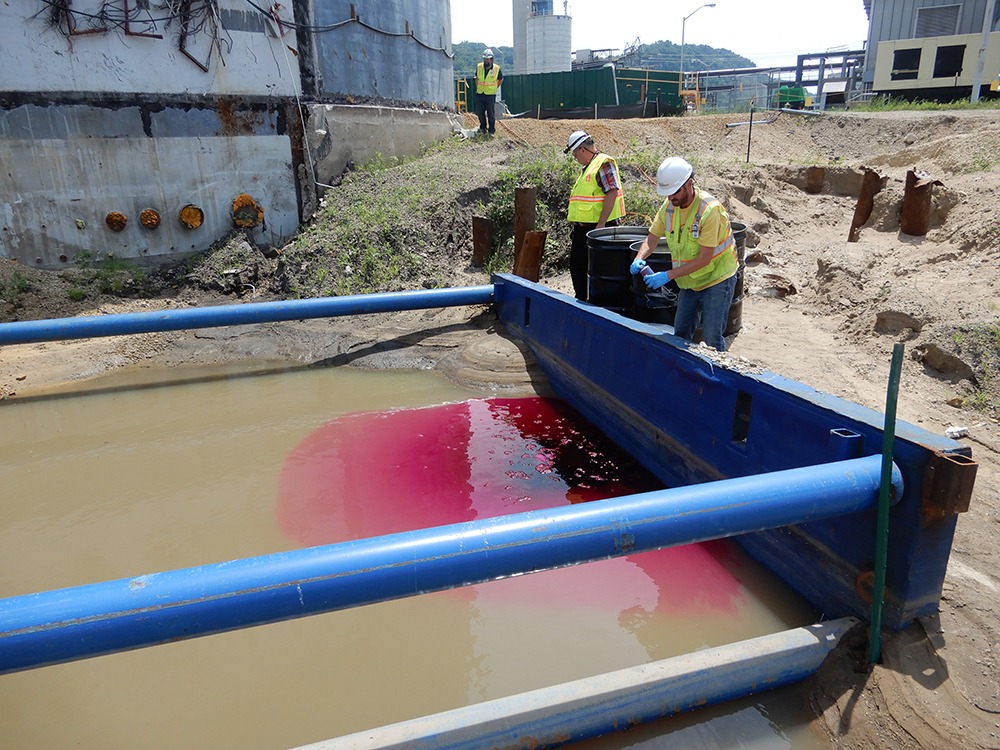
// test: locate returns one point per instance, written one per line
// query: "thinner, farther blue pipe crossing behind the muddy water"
(32, 331)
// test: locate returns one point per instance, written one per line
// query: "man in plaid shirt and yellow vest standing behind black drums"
(596, 201)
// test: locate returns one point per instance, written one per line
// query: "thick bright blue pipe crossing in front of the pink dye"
(58, 626)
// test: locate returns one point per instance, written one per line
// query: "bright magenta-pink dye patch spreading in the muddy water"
(374, 473)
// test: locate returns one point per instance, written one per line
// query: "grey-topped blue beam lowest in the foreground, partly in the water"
(594, 706)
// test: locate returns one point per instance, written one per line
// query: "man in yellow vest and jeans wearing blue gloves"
(702, 253)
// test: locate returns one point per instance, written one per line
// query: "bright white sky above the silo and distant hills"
(769, 32)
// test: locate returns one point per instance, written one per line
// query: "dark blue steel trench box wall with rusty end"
(690, 416)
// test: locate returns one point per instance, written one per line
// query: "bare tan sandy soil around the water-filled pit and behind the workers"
(817, 308)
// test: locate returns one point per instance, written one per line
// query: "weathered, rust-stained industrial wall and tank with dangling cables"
(105, 116)
